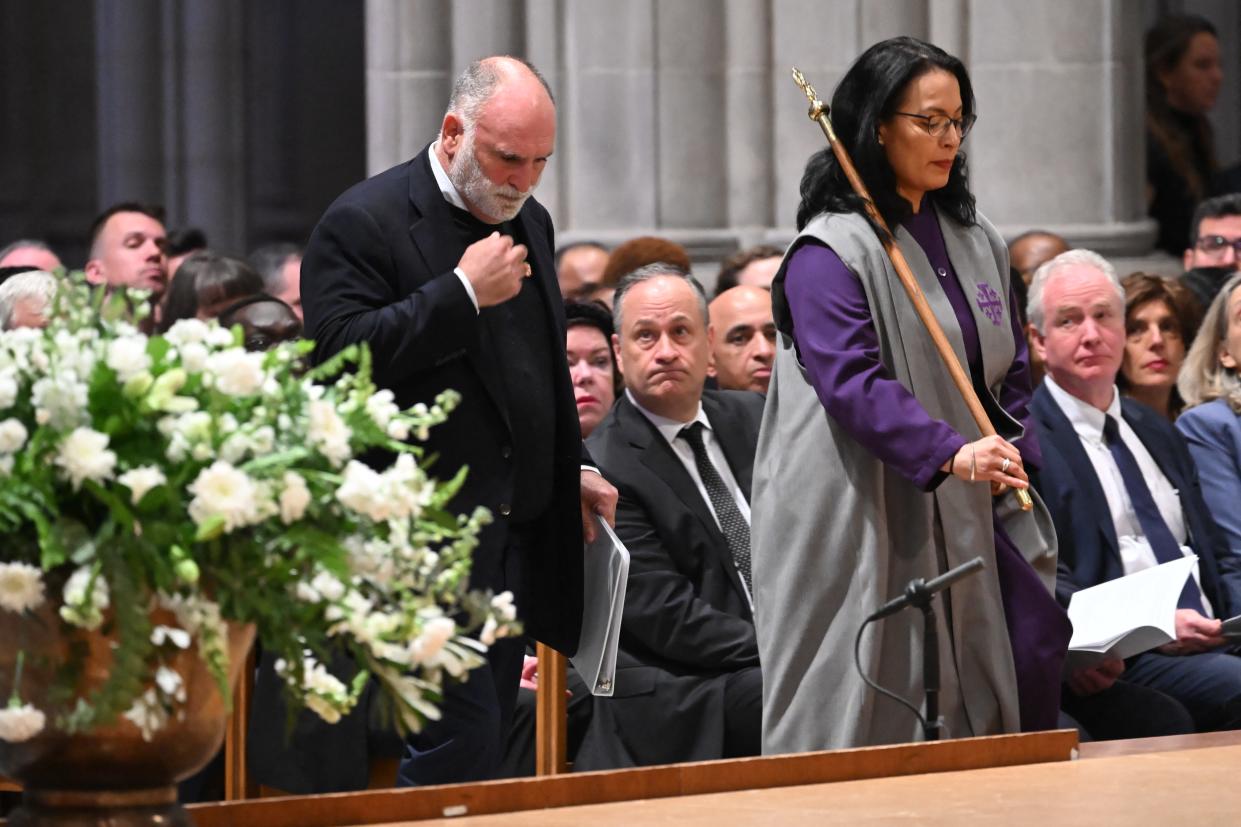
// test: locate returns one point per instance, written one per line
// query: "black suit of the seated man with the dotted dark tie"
(687, 620)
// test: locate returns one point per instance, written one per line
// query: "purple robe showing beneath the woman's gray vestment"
(837, 342)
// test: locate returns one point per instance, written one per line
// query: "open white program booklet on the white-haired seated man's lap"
(1126, 617)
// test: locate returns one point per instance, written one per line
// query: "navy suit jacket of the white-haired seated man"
(1090, 552)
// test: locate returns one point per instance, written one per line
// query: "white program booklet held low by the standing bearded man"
(606, 577)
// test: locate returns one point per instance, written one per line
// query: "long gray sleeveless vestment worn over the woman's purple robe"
(837, 533)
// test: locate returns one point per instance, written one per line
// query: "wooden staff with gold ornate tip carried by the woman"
(820, 115)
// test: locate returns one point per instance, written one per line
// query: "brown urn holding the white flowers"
(110, 775)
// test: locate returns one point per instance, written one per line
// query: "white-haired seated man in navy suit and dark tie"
(1122, 489)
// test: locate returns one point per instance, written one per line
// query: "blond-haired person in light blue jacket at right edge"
(1212, 424)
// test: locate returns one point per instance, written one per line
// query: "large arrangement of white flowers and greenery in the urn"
(182, 474)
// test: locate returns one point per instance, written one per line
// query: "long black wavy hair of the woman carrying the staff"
(868, 96)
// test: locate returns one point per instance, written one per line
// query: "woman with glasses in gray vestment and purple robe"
(871, 470)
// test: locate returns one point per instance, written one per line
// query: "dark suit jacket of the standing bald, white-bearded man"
(379, 269)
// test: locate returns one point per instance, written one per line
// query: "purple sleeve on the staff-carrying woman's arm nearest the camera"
(838, 345)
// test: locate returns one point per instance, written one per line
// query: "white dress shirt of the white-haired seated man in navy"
(1088, 422)
